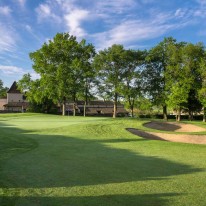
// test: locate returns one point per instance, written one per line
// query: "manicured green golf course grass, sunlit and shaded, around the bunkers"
(54, 160)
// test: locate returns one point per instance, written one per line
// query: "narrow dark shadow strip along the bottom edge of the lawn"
(104, 200)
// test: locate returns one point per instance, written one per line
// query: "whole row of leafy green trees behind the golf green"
(171, 74)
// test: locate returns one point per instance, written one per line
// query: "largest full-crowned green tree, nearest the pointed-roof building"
(61, 65)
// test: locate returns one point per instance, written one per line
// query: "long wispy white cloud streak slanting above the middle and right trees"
(130, 31)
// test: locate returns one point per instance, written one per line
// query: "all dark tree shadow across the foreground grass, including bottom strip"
(46, 161)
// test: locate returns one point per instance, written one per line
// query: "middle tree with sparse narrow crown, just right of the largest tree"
(110, 65)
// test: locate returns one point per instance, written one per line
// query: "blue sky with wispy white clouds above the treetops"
(138, 24)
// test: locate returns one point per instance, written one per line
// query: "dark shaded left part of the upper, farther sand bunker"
(164, 126)
